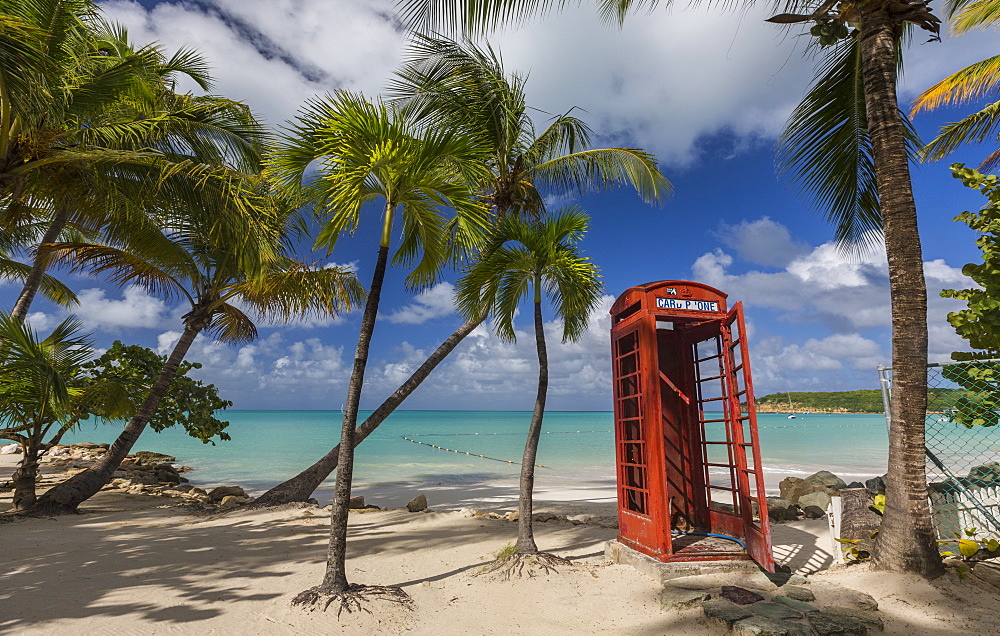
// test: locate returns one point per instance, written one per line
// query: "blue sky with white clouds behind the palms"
(706, 92)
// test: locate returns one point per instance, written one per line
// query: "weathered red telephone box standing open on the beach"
(686, 427)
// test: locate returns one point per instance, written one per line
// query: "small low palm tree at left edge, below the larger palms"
(42, 390)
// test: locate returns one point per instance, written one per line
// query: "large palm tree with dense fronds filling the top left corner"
(91, 130)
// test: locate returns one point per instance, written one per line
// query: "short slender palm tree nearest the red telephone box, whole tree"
(531, 258)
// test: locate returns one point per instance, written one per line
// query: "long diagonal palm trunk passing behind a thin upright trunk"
(302, 486)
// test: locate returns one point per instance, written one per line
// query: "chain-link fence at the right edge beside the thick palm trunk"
(963, 445)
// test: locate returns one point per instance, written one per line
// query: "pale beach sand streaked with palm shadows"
(137, 564)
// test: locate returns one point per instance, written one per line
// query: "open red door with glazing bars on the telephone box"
(751, 498)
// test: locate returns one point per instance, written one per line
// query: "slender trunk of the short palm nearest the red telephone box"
(525, 533)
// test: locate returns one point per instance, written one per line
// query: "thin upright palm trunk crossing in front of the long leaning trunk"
(335, 579)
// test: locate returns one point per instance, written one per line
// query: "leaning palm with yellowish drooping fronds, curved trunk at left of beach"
(227, 267)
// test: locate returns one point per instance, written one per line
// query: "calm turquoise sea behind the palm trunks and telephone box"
(576, 449)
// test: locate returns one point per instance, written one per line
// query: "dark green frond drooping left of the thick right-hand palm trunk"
(826, 149)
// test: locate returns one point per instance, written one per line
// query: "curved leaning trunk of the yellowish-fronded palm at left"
(65, 497)
